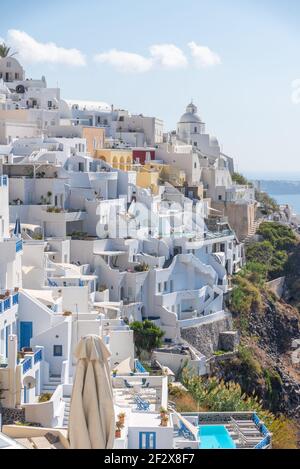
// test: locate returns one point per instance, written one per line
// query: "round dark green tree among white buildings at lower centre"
(147, 336)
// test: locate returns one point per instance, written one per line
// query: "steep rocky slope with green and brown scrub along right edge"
(267, 326)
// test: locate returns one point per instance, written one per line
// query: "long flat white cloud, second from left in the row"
(125, 61)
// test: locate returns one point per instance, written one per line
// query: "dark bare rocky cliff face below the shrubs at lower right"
(264, 364)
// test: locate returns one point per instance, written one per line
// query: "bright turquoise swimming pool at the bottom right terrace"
(215, 437)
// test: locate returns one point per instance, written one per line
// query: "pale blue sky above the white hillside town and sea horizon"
(246, 100)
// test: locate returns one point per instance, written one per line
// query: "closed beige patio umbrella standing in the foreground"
(92, 417)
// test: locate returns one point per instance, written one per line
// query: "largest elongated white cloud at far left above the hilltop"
(33, 51)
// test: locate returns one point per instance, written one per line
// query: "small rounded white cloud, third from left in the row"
(168, 56)
